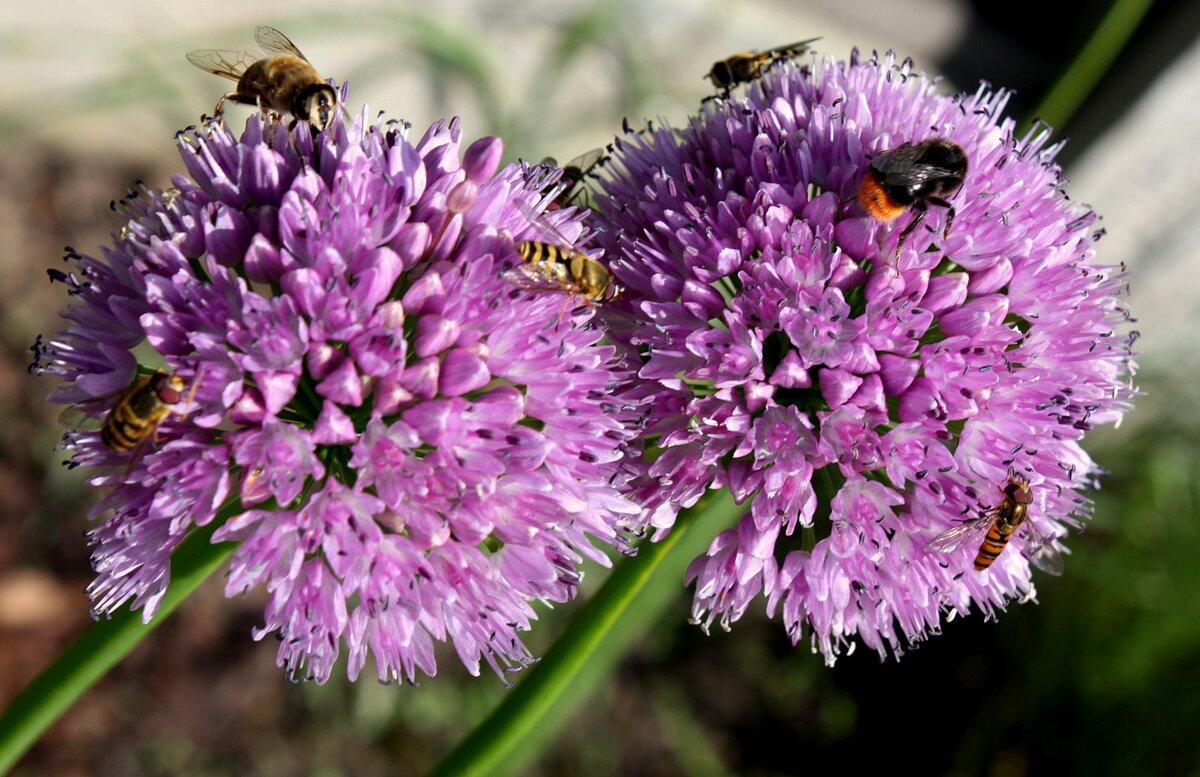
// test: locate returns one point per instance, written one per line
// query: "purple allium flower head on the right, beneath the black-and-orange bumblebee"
(865, 394)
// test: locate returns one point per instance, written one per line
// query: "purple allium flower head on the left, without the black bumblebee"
(411, 448)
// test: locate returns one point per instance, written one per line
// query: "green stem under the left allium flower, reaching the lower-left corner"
(104, 646)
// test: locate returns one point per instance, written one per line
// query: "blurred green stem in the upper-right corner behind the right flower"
(1093, 63)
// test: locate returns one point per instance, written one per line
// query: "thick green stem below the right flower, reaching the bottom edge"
(628, 605)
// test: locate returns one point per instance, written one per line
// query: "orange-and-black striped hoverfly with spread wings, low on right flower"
(997, 527)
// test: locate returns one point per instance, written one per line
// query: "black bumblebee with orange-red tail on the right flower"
(914, 177)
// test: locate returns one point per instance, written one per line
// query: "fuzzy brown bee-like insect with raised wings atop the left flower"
(285, 82)
